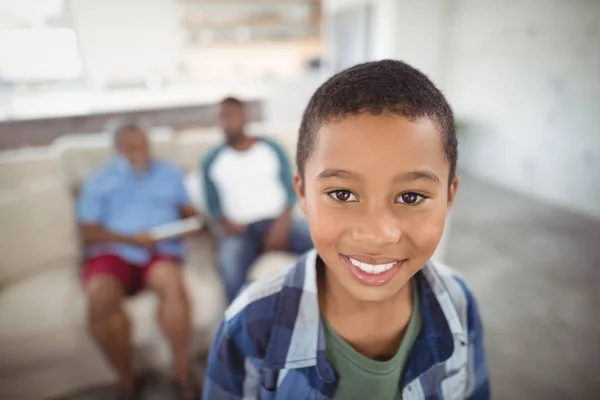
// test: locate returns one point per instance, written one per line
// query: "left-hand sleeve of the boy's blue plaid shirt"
(228, 376)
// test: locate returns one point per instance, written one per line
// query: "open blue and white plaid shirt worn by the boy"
(271, 344)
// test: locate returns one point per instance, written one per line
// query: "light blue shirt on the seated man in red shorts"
(128, 202)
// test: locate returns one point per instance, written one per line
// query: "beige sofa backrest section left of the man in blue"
(37, 223)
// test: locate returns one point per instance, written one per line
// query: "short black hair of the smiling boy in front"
(377, 88)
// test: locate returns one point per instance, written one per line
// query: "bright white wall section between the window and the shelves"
(127, 40)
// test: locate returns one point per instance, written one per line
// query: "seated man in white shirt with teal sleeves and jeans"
(249, 191)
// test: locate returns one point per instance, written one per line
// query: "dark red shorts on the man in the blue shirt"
(133, 277)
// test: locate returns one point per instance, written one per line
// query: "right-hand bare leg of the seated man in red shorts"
(173, 313)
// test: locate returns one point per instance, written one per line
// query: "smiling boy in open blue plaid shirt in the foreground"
(365, 315)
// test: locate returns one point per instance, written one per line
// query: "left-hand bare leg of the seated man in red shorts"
(110, 326)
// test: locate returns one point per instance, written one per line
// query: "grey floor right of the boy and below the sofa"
(536, 272)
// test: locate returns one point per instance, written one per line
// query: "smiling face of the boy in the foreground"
(375, 191)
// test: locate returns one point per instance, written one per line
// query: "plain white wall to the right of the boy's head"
(527, 73)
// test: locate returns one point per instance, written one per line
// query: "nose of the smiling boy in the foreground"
(378, 230)
